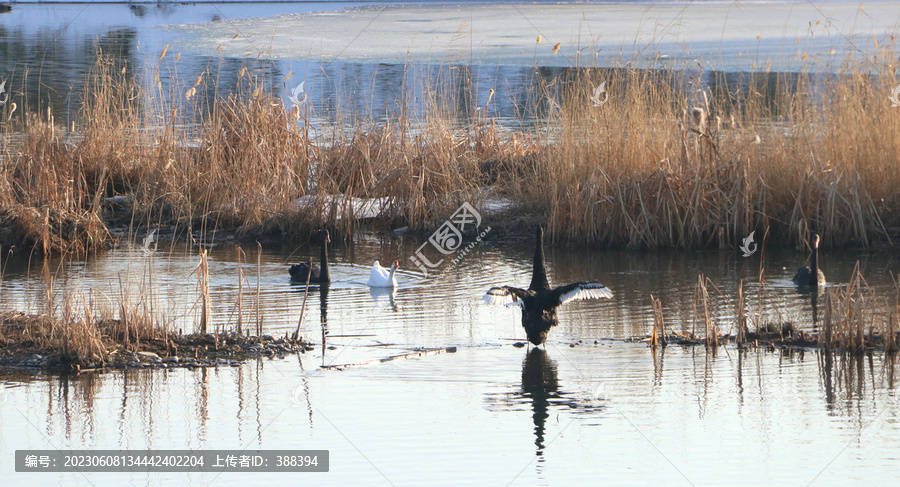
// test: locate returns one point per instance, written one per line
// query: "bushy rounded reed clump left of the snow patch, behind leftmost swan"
(250, 164)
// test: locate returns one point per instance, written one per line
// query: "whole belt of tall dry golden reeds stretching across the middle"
(664, 162)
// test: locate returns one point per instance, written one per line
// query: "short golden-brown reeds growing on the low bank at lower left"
(88, 329)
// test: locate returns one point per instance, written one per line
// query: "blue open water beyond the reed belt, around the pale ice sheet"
(47, 52)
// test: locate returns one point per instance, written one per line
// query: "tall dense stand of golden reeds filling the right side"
(655, 168)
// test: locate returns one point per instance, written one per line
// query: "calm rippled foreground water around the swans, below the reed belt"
(587, 407)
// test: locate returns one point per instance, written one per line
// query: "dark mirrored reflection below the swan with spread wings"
(540, 385)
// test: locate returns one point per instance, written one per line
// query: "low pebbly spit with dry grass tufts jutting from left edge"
(93, 330)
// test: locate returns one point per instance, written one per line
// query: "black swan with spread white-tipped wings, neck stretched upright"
(539, 301)
